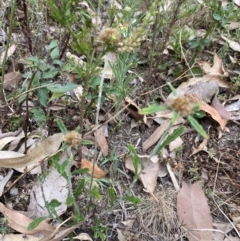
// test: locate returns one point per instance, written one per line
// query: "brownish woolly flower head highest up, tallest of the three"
(110, 37)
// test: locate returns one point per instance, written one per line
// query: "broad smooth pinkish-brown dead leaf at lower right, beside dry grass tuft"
(193, 212)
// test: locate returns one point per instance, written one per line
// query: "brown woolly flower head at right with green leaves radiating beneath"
(182, 105)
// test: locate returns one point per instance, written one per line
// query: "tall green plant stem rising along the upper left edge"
(13, 6)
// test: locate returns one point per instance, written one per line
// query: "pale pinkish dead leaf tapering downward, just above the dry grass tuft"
(148, 175)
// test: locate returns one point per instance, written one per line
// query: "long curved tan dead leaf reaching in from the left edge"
(43, 149)
